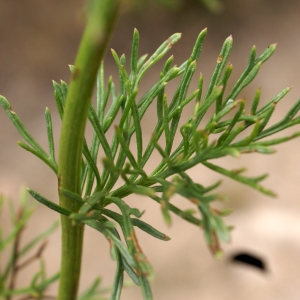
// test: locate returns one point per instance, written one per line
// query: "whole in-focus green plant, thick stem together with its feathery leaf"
(87, 192)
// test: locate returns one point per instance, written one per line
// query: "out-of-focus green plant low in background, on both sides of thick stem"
(22, 256)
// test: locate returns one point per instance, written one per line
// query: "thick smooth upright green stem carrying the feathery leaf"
(91, 50)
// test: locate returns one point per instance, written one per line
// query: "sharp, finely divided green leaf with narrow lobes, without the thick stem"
(230, 130)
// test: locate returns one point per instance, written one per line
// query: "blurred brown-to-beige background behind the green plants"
(38, 39)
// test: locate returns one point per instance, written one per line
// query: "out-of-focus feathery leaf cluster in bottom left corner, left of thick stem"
(9, 271)
